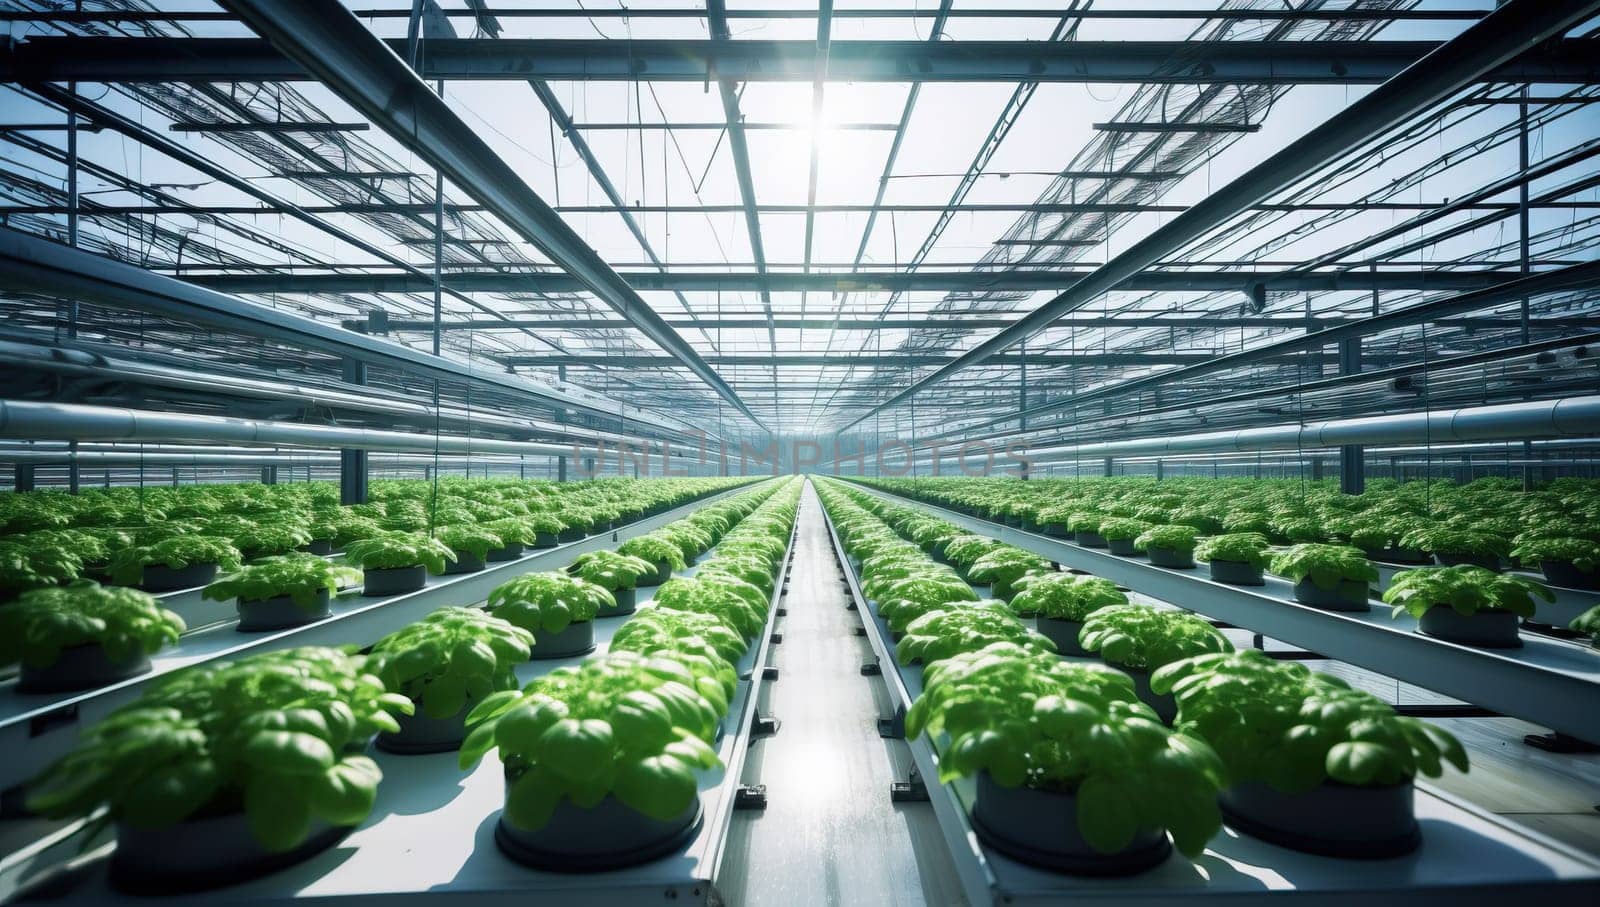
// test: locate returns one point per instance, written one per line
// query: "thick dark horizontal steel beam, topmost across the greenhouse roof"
(681, 60)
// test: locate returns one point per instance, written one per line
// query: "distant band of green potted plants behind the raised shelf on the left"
(180, 538)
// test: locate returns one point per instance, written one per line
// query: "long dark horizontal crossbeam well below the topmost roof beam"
(935, 282)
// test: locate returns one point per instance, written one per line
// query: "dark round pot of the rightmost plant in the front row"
(1332, 820)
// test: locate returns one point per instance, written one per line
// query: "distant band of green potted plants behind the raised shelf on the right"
(1489, 522)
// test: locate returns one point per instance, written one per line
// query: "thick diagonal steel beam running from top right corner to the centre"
(1489, 46)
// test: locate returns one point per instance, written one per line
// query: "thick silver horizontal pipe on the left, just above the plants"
(79, 423)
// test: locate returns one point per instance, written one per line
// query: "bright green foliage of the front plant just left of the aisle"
(620, 725)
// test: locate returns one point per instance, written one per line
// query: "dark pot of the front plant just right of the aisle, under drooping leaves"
(1041, 828)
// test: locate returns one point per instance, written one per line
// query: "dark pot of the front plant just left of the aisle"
(609, 836)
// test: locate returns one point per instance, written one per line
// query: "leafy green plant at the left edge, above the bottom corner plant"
(124, 623)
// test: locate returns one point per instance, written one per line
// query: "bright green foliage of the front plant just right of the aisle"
(1034, 721)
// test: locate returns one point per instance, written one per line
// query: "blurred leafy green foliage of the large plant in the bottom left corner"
(271, 735)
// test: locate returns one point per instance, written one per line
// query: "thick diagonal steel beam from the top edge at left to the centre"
(367, 74)
